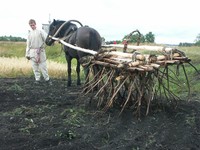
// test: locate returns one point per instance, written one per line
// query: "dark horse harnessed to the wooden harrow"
(84, 37)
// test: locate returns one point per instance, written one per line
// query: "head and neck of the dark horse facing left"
(59, 29)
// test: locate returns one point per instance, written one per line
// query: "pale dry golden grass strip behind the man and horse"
(16, 67)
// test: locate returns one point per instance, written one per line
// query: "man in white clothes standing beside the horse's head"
(35, 52)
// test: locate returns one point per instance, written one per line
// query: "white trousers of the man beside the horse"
(39, 65)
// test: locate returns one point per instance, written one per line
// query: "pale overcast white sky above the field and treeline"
(171, 21)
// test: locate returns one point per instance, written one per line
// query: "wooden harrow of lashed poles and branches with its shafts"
(133, 79)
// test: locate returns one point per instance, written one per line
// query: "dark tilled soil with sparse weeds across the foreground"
(43, 117)
